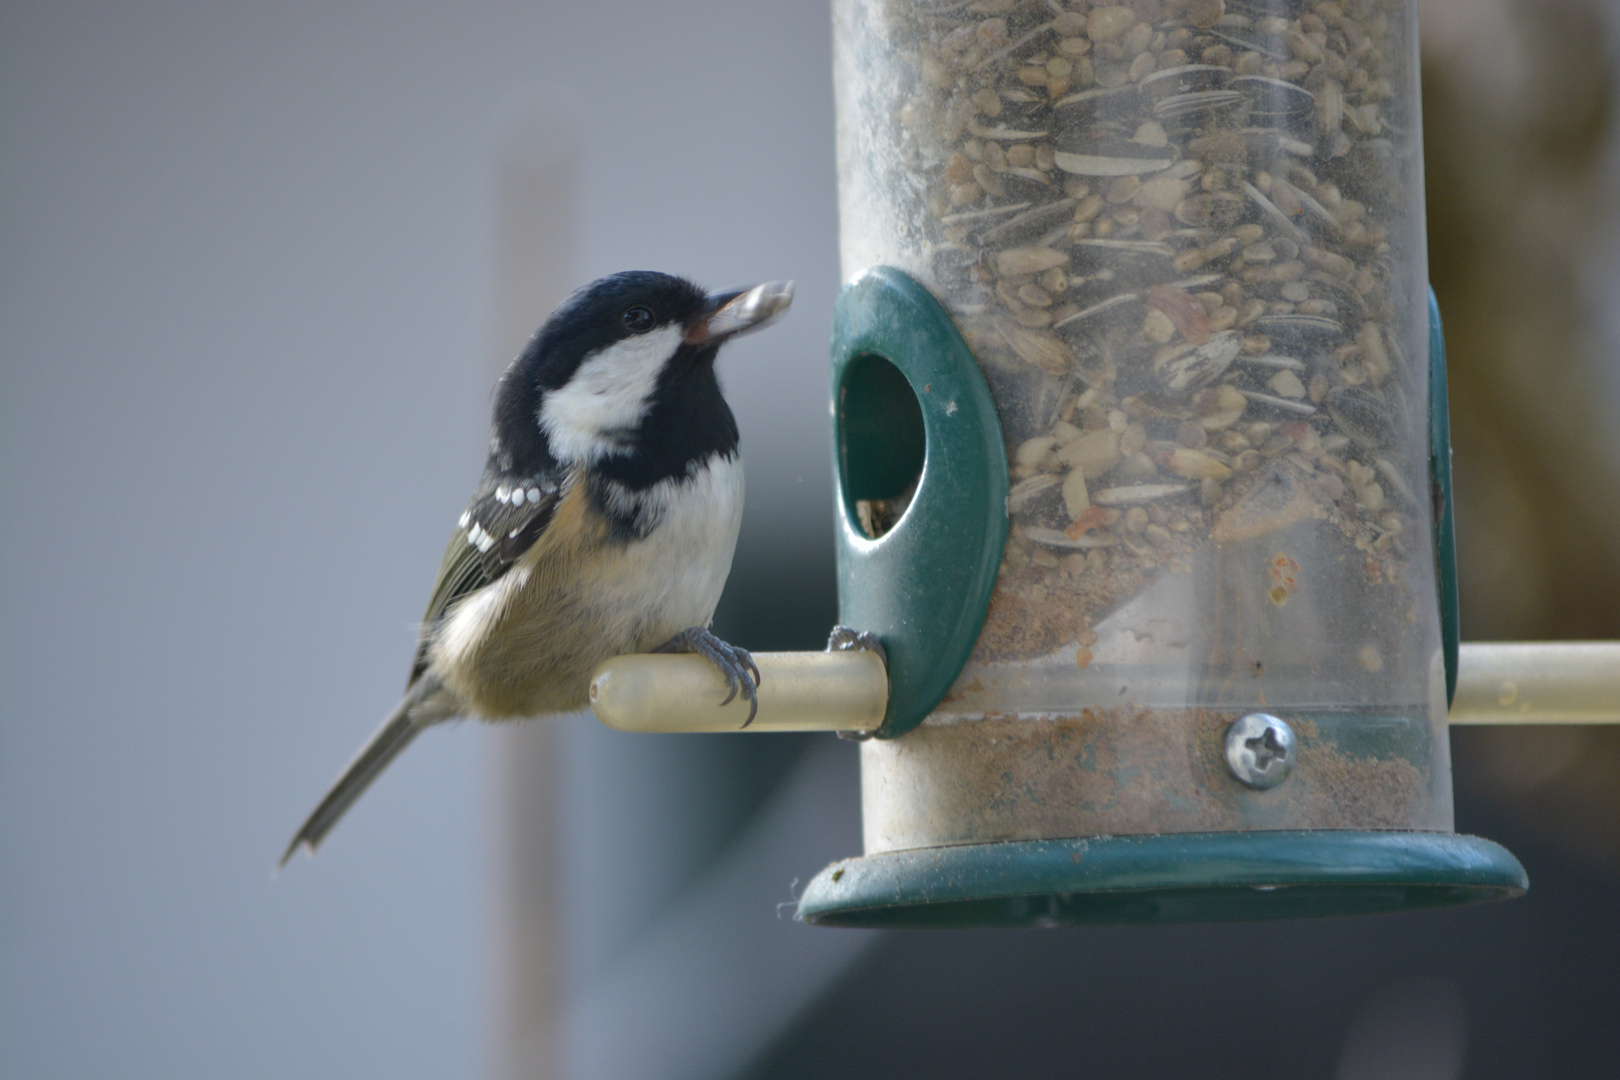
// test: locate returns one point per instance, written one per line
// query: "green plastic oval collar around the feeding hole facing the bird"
(910, 406)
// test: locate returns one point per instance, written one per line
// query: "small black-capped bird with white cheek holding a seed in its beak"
(603, 524)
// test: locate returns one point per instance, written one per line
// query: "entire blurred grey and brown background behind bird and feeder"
(257, 276)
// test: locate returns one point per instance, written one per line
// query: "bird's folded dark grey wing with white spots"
(503, 521)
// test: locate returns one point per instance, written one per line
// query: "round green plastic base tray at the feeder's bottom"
(1175, 878)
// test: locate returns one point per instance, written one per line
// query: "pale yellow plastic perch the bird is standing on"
(799, 692)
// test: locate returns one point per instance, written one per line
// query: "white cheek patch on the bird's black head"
(607, 396)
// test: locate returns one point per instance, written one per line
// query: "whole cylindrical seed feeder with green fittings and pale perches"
(1143, 475)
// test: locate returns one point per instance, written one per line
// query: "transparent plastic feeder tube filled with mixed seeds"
(1185, 240)
